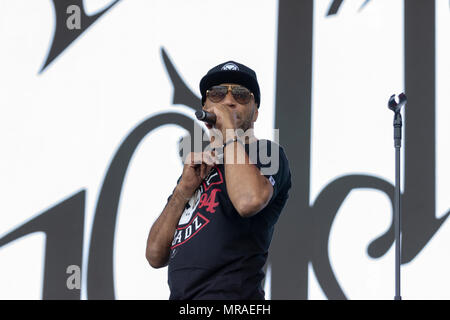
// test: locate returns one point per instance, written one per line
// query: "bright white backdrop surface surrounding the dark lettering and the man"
(60, 129)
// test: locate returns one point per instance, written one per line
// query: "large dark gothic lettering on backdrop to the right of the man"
(303, 230)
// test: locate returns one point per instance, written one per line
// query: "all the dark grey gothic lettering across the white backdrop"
(302, 234)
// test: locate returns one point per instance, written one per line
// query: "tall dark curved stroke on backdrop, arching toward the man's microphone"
(100, 281)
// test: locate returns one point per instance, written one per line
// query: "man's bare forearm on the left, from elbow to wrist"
(161, 233)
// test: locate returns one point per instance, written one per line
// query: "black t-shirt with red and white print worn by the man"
(217, 254)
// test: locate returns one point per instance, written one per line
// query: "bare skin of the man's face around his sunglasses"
(246, 114)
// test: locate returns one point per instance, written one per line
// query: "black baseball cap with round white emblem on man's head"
(231, 72)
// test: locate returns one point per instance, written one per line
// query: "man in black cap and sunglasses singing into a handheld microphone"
(215, 230)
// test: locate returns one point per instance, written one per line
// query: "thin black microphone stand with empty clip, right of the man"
(396, 107)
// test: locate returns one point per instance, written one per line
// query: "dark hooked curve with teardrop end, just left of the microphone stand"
(324, 211)
